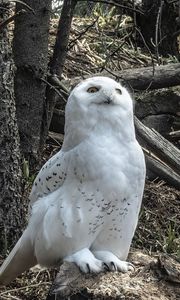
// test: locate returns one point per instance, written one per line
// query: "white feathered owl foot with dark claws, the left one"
(86, 261)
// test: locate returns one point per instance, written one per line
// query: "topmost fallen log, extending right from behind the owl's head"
(150, 78)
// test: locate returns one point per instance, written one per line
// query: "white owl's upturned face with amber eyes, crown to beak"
(100, 91)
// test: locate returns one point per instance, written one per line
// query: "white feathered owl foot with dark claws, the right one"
(112, 262)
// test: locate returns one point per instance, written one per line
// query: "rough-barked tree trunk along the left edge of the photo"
(11, 208)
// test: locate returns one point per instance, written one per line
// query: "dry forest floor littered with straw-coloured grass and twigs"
(93, 47)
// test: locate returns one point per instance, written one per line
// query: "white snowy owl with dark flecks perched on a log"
(85, 201)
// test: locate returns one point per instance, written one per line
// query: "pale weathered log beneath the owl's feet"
(152, 276)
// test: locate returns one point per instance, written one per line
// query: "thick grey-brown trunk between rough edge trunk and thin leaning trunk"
(31, 59)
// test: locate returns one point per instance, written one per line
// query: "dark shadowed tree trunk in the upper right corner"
(158, 26)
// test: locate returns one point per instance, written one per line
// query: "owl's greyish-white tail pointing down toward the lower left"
(20, 259)
